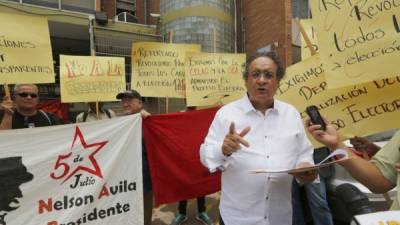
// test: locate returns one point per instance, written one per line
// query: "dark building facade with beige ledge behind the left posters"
(76, 29)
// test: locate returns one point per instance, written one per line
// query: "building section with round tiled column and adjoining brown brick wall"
(244, 26)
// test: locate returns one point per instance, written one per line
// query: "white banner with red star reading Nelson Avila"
(77, 174)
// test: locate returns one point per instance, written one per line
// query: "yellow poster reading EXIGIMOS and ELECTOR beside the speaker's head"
(360, 110)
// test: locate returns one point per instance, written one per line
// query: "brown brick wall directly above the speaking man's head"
(265, 25)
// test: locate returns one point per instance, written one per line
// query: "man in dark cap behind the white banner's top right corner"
(132, 103)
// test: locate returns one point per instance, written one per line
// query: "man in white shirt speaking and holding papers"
(257, 132)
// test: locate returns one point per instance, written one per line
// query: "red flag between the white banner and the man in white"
(173, 146)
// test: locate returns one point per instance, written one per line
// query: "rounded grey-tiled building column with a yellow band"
(205, 22)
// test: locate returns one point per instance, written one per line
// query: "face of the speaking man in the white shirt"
(262, 82)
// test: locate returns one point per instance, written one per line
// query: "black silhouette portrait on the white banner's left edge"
(12, 174)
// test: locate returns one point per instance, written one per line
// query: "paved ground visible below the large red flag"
(164, 214)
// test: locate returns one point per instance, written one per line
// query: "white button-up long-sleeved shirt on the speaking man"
(277, 141)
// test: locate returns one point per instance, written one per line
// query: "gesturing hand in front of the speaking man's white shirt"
(233, 140)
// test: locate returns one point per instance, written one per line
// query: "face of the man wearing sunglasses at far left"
(26, 97)
